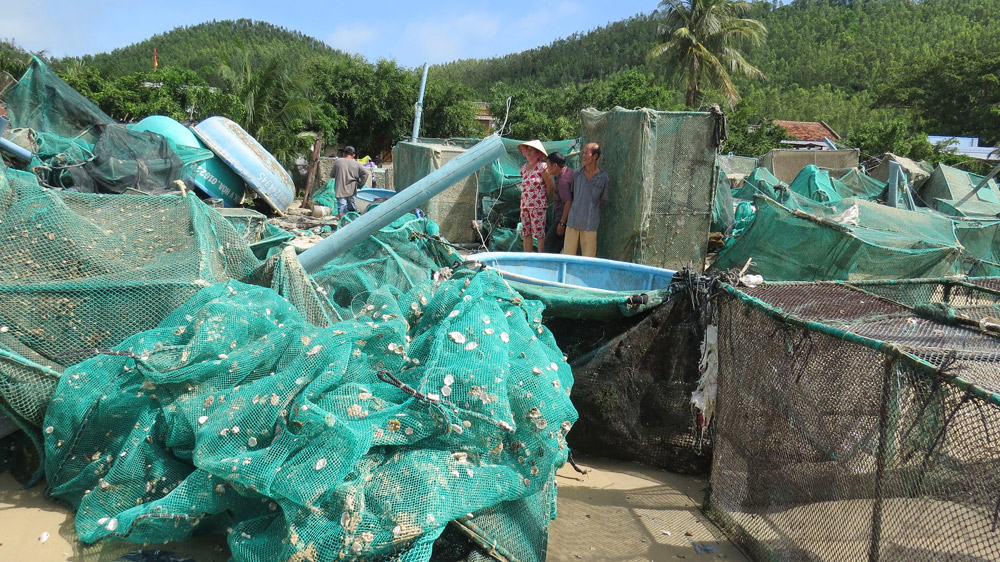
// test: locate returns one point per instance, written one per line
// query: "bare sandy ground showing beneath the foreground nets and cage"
(616, 512)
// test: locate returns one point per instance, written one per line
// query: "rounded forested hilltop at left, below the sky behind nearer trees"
(204, 46)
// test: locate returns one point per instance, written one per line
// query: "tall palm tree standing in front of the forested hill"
(700, 39)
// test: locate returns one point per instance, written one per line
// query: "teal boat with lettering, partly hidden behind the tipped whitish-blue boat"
(212, 176)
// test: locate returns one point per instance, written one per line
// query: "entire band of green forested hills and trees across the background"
(882, 73)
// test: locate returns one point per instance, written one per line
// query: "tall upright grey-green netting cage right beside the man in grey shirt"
(663, 173)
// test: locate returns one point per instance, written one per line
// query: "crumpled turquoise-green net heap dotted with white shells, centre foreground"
(366, 438)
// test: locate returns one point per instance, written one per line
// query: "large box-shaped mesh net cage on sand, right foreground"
(858, 420)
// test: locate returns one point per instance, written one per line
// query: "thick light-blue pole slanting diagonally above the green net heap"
(461, 167)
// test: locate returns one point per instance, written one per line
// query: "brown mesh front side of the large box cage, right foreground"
(830, 450)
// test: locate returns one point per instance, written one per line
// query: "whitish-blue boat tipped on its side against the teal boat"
(249, 159)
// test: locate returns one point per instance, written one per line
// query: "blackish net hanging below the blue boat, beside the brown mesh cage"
(633, 394)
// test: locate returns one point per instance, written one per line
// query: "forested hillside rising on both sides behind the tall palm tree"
(851, 44)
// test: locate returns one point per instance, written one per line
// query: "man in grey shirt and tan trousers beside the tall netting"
(588, 194)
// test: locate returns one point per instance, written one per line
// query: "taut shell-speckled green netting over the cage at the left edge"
(84, 271)
